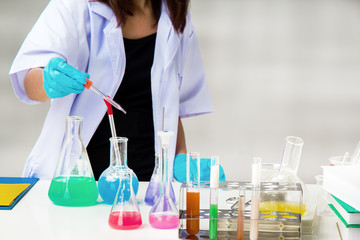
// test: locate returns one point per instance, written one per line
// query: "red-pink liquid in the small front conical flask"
(125, 220)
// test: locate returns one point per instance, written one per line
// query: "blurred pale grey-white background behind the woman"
(275, 68)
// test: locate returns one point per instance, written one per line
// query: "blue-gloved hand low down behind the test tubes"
(205, 165)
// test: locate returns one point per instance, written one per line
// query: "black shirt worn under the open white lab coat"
(134, 95)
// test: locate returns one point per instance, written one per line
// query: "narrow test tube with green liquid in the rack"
(214, 185)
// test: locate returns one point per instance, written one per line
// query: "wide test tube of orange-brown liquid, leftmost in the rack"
(192, 193)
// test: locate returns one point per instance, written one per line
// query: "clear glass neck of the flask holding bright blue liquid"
(118, 152)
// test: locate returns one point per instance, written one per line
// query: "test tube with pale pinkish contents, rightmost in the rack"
(255, 198)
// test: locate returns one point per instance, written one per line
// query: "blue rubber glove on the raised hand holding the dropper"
(61, 79)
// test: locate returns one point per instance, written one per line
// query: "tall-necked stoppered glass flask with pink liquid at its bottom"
(164, 214)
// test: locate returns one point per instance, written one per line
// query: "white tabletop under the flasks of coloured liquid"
(36, 217)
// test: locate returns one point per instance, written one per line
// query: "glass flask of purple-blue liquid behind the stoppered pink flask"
(153, 190)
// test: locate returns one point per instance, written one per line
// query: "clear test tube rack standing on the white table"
(280, 210)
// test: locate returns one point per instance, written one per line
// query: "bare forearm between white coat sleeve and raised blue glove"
(33, 84)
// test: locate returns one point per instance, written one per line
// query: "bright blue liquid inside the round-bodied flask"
(108, 188)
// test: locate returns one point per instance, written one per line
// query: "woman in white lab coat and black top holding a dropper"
(143, 53)
